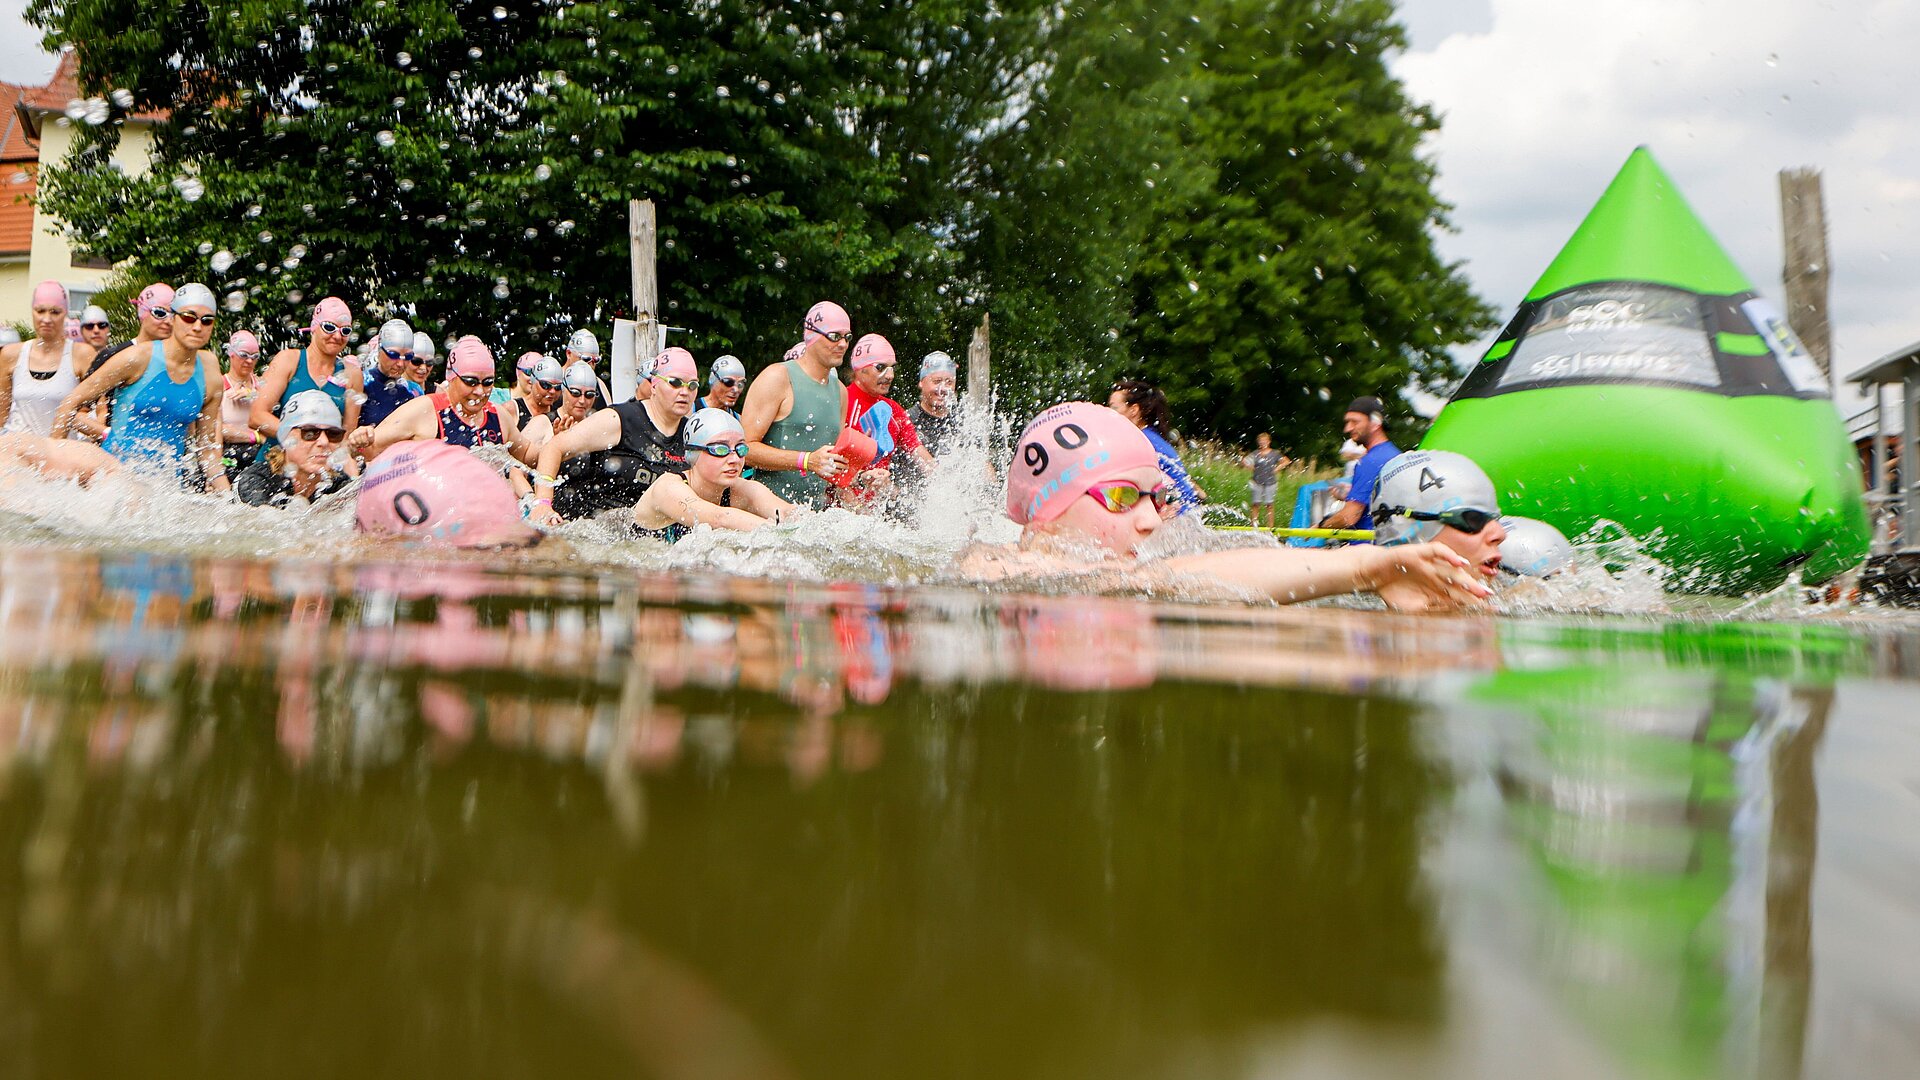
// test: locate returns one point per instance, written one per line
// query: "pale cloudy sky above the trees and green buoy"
(1545, 99)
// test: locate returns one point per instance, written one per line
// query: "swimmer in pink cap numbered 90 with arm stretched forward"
(1084, 476)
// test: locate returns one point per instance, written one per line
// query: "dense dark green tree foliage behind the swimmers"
(1228, 199)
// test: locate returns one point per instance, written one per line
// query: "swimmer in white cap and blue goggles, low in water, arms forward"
(711, 491)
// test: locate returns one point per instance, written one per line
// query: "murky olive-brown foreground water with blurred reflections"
(414, 822)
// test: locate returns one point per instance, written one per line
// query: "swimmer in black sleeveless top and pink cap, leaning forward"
(612, 458)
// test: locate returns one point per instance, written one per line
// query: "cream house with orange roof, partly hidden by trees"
(39, 134)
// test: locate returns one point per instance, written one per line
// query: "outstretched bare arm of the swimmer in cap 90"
(1416, 577)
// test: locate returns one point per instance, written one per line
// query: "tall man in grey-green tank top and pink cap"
(794, 412)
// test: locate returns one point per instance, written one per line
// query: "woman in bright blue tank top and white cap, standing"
(170, 399)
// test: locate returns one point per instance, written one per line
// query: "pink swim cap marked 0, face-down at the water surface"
(431, 491)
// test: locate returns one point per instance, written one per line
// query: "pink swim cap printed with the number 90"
(1067, 451)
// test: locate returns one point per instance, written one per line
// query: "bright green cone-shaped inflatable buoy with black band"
(1644, 383)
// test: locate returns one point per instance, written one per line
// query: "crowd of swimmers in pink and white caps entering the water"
(475, 460)
